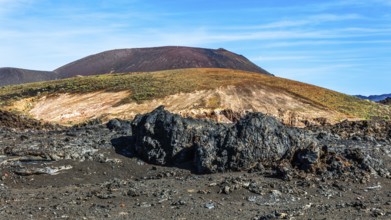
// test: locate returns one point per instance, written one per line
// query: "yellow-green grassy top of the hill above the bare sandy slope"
(154, 85)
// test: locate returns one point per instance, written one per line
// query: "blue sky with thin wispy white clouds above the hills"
(344, 45)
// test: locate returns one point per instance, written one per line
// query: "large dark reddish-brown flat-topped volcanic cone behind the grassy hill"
(155, 59)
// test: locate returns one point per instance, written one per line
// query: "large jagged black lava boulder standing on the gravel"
(163, 138)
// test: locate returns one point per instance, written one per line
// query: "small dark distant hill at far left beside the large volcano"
(11, 76)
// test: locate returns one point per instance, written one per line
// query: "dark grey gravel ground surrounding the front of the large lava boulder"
(80, 173)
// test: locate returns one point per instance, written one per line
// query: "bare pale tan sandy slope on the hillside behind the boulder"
(76, 108)
